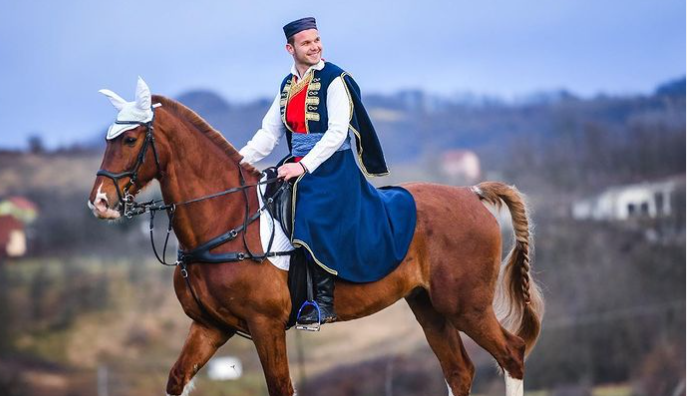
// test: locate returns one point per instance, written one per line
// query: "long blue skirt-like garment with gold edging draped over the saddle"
(350, 228)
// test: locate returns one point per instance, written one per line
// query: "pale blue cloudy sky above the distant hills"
(56, 55)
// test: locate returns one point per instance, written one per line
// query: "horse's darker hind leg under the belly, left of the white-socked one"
(445, 341)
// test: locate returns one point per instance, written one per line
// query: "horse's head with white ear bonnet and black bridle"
(131, 159)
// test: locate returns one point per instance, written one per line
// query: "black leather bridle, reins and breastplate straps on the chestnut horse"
(200, 254)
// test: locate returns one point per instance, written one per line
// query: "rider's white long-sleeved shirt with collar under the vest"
(338, 114)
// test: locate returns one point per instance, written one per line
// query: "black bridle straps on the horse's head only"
(129, 207)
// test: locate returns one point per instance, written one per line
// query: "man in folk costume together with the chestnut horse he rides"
(449, 274)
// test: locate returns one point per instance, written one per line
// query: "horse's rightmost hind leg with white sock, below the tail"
(509, 350)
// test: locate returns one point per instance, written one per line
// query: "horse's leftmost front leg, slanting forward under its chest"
(201, 343)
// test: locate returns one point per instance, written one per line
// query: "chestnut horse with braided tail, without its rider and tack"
(449, 276)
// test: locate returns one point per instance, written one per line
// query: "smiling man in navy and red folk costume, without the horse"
(349, 228)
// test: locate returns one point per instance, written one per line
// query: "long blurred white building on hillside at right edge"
(642, 200)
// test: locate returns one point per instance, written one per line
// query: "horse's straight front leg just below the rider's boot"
(269, 336)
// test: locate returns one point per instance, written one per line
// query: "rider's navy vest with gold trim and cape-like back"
(370, 155)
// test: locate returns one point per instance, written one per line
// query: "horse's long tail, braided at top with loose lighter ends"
(519, 304)
